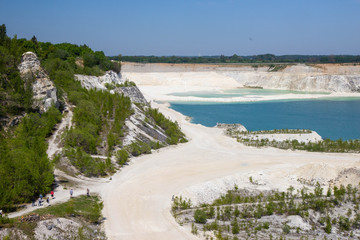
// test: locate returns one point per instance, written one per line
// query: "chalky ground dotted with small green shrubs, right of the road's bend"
(243, 214)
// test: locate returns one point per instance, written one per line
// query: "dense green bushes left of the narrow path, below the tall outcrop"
(24, 165)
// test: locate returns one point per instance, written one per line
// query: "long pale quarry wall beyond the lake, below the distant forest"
(318, 77)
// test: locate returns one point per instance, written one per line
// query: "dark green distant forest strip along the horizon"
(264, 58)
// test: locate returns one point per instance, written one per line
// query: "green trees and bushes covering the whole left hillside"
(25, 168)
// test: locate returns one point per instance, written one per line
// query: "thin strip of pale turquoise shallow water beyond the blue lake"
(240, 92)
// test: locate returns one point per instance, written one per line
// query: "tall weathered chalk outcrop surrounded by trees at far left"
(44, 90)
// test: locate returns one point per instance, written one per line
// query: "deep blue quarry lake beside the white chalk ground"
(331, 118)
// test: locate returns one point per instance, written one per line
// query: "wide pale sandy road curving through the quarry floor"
(137, 202)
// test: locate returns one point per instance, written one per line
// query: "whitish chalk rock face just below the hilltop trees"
(89, 82)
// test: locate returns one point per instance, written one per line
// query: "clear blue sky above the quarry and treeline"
(191, 28)
